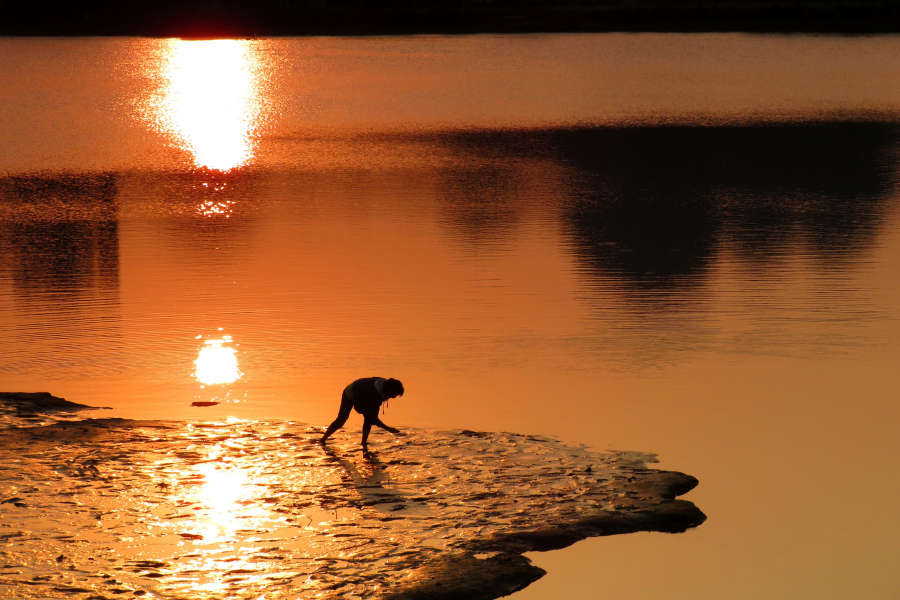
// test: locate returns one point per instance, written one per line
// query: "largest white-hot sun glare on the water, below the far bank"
(210, 103)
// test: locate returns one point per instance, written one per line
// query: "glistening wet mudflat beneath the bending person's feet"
(96, 508)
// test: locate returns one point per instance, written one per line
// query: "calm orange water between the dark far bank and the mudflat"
(683, 244)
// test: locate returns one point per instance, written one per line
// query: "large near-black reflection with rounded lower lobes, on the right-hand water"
(655, 202)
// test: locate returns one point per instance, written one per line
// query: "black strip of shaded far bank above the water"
(248, 18)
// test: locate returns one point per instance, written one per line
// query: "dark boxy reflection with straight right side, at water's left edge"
(60, 233)
